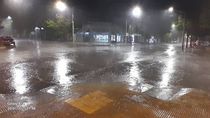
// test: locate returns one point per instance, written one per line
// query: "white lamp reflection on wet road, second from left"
(62, 70)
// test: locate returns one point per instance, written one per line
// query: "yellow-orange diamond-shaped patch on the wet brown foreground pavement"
(91, 102)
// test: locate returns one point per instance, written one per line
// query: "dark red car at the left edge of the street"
(7, 41)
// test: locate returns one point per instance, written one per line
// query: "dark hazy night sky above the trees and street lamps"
(34, 12)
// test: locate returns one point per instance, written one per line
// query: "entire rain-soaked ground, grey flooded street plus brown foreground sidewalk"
(60, 80)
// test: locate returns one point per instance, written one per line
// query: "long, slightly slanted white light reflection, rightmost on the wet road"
(169, 68)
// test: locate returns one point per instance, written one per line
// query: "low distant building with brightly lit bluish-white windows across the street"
(100, 32)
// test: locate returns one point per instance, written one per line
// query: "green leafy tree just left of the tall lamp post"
(58, 29)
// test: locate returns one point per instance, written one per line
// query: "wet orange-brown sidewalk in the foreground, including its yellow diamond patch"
(107, 101)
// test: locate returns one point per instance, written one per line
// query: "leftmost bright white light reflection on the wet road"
(19, 80)
